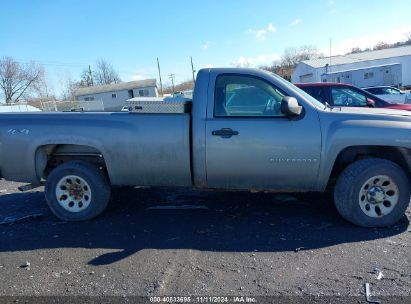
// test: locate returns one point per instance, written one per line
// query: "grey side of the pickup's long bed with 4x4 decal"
(138, 149)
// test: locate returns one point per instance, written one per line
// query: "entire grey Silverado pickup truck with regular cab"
(247, 130)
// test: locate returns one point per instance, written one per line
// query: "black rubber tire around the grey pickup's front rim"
(350, 183)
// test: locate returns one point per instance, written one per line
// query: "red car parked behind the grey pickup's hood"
(346, 95)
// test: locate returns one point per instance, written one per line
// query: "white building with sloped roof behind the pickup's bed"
(114, 96)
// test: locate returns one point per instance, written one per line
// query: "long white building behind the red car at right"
(383, 67)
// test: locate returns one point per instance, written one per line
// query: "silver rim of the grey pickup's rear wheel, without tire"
(73, 193)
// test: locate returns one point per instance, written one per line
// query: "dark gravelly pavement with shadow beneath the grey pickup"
(212, 244)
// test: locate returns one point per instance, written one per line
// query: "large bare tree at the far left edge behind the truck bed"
(18, 80)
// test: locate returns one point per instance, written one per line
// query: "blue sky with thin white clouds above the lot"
(67, 36)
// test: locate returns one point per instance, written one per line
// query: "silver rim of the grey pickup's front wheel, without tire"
(378, 196)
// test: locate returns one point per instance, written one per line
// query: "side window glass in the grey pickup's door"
(242, 96)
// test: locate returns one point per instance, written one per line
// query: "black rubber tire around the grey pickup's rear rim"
(99, 190)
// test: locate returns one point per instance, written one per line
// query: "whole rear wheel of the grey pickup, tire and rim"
(77, 191)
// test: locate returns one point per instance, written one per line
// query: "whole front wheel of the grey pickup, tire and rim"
(372, 193)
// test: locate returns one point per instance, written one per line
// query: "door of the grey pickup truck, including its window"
(251, 144)
